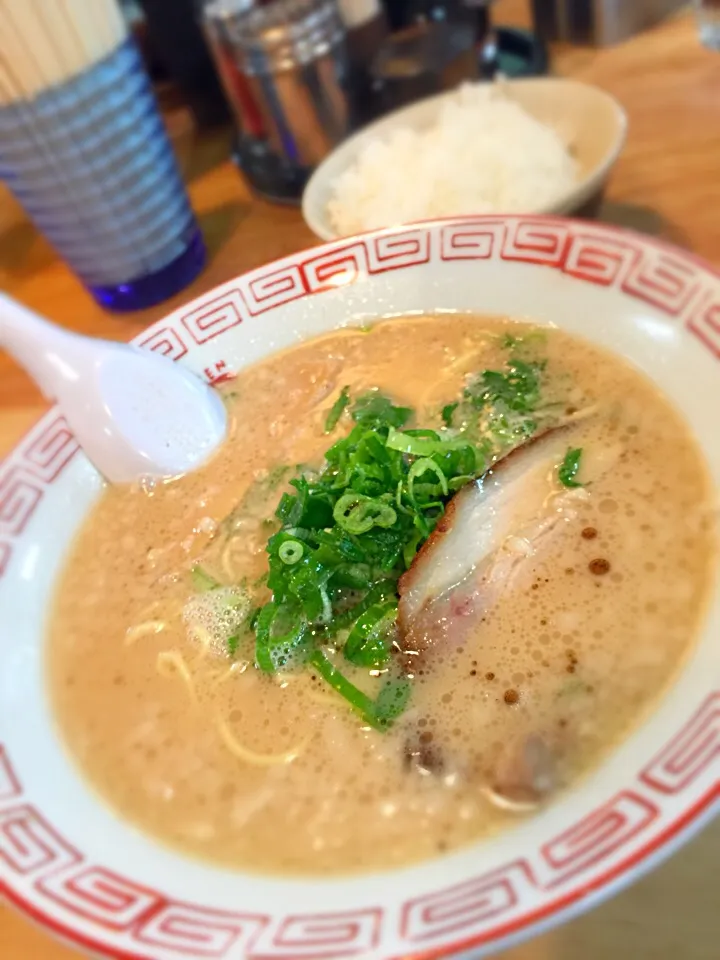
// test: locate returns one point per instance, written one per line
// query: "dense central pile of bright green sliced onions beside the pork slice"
(348, 533)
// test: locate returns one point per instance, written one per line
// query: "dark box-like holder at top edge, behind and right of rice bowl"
(598, 22)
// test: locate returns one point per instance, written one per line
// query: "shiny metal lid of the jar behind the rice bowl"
(286, 34)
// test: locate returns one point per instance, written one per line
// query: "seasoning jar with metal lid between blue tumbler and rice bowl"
(293, 79)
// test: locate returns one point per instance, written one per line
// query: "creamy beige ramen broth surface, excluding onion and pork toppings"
(275, 773)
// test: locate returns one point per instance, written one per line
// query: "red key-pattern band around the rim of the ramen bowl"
(104, 912)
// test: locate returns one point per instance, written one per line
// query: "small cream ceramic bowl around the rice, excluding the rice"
(590, 121)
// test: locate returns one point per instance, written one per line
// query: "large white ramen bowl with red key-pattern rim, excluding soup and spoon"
(71, 864)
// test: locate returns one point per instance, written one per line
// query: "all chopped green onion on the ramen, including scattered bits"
(350, 530)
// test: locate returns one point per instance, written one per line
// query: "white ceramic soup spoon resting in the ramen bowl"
(135, 414)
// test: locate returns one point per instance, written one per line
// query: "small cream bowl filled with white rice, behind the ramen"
(540, 145)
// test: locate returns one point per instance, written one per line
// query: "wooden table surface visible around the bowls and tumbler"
(667, 182)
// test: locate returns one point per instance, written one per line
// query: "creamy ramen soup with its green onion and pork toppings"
(349, 713)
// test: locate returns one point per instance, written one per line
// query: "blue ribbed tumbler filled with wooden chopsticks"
(84, 150)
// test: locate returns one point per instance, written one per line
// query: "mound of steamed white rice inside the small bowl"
(483, 154)
